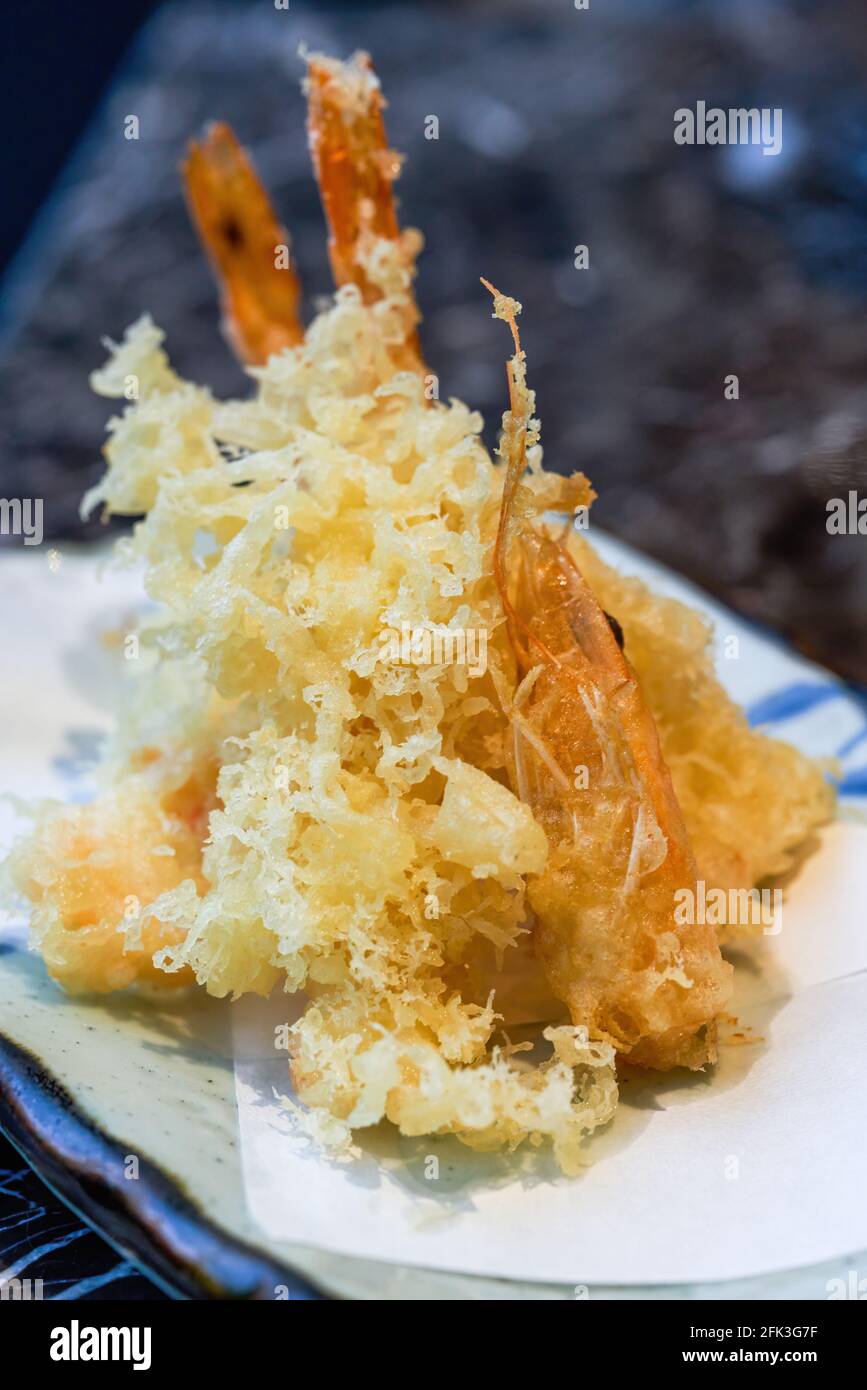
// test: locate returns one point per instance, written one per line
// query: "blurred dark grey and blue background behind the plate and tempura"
(555, 131)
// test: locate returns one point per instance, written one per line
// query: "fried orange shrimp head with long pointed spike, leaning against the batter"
(587, 760)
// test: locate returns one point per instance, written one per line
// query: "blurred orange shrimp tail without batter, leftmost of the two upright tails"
(247, 247)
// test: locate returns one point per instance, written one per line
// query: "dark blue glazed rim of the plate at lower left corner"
(149, 1218)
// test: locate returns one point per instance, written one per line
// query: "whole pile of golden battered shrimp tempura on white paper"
(315, 786)
